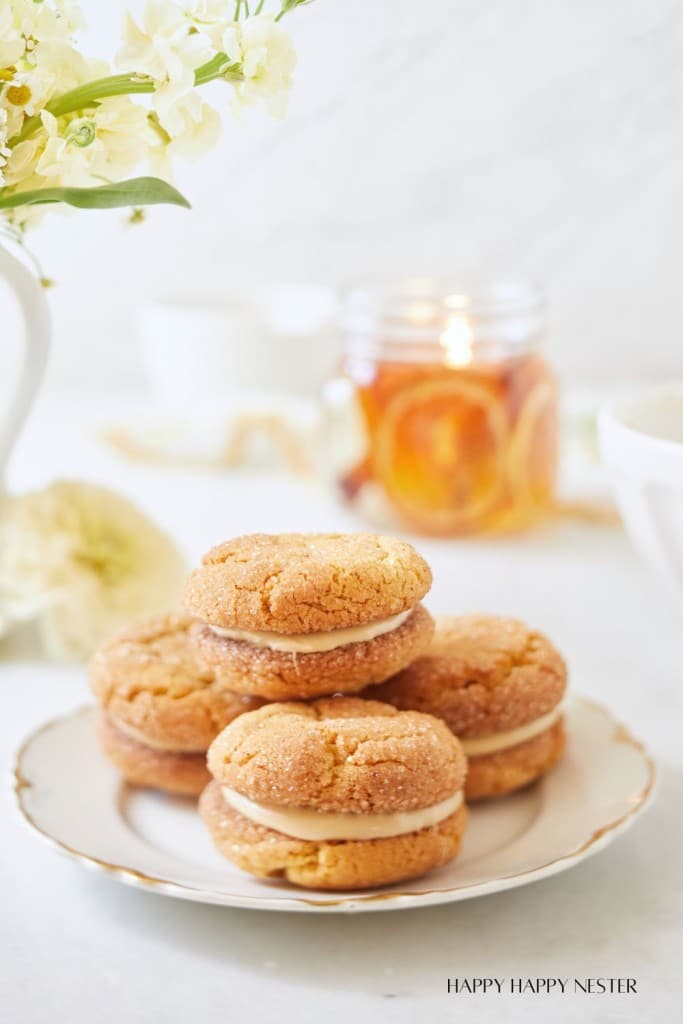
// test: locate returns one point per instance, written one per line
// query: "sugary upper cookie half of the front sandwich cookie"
(339, 754)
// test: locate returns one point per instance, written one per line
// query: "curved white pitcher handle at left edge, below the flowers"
(31, 298)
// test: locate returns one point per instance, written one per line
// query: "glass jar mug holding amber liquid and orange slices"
(445, 416)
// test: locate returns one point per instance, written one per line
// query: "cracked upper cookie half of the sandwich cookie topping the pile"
(307, 583)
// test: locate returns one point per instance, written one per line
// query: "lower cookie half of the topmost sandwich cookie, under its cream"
(283, 676)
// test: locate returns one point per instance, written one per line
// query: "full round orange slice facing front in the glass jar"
(440, 454)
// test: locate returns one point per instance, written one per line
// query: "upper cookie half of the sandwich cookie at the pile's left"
(149, 679)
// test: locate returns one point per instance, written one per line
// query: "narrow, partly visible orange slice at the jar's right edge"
(533, 451)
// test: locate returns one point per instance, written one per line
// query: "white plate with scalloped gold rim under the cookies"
(71, 796)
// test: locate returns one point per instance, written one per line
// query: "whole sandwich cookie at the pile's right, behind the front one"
(499, 687)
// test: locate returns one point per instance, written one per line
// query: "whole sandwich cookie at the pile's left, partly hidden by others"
(160, 710)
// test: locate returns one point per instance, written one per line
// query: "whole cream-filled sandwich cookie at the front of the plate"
(336, 794)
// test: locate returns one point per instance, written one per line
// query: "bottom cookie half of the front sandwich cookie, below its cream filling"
(330, 866)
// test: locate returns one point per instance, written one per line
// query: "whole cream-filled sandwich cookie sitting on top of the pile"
(293, 616)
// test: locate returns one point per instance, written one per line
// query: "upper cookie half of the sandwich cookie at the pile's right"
(483, 674)
